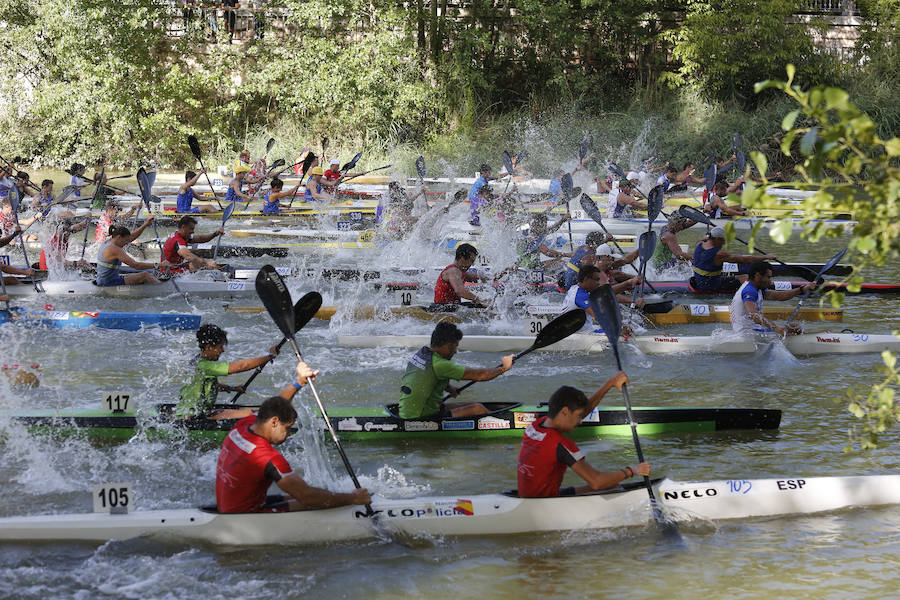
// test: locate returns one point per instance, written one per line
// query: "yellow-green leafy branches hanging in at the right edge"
(856, 171)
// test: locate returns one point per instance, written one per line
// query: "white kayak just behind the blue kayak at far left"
(197, 288)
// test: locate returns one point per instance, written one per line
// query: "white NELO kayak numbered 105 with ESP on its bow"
(466, 514)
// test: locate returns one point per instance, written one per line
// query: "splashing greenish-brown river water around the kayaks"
(846, 554)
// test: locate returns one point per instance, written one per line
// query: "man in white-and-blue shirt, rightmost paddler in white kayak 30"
(746, 307)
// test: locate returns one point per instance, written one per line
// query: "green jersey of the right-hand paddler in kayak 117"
(424, 383)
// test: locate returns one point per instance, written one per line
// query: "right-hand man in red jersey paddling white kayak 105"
(546, 452)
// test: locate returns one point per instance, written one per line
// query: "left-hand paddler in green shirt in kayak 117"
(198, 396)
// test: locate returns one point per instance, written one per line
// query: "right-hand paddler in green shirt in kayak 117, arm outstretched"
(428, 376)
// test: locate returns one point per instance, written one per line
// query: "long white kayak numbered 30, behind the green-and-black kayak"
(593, 343)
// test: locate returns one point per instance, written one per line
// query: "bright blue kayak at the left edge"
(103, 320)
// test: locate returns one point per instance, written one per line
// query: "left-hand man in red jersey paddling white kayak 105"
(249, 464)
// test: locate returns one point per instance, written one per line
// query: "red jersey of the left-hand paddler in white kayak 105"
(247, 466)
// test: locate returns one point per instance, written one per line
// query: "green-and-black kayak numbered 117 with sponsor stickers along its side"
(504, 420)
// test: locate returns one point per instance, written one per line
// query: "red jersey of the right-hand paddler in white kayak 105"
(543, 460)
